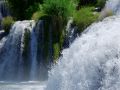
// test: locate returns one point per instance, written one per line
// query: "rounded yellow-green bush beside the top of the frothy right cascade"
(84, 17)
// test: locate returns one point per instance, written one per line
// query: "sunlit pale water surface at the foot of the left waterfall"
(29, 85)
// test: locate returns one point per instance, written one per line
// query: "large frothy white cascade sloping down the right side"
(93, 61)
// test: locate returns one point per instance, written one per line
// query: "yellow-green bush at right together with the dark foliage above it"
(86, 15)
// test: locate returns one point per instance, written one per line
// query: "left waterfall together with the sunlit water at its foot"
(19, 57)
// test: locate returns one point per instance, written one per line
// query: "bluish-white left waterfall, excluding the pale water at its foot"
(22, 52)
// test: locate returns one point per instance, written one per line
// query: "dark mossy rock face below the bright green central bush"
(57, 34)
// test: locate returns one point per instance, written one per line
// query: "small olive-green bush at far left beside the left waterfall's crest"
(7, 23)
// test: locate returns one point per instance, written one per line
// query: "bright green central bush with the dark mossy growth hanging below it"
(57, 13)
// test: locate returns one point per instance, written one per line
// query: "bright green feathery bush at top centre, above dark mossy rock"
(62, 8)
